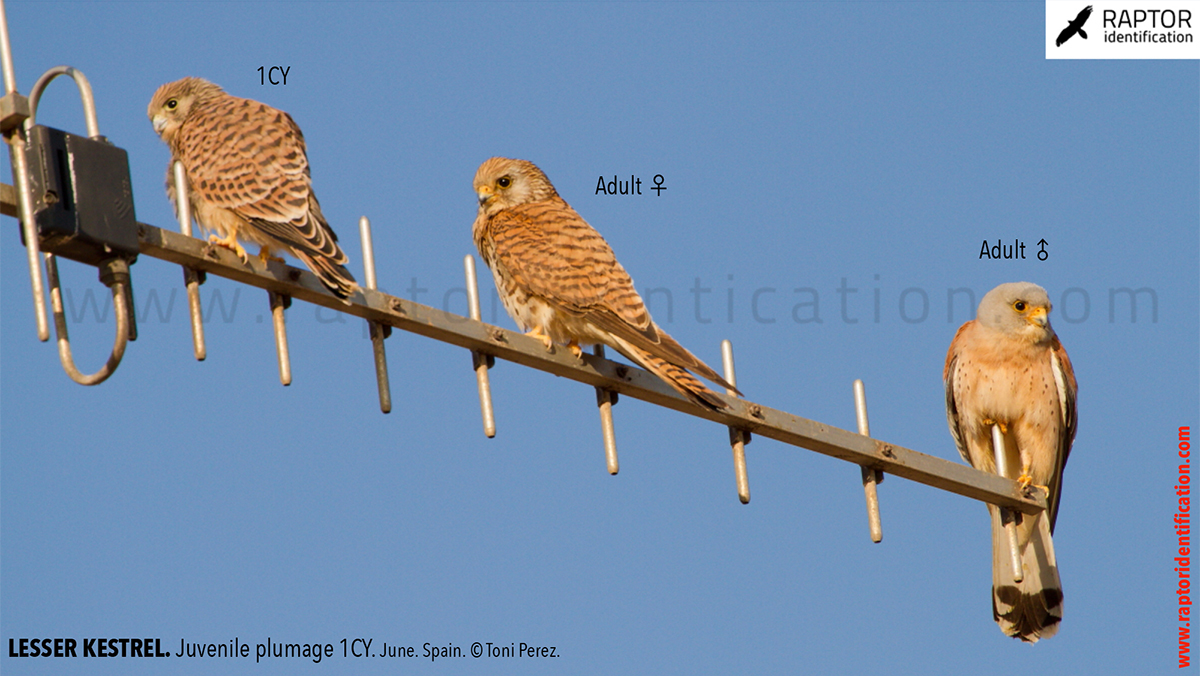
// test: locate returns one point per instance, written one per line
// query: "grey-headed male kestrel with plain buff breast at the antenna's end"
(1007, 368)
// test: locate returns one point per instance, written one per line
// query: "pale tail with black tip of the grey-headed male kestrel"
(1033, 608)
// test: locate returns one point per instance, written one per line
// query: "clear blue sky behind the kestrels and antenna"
(808, 149)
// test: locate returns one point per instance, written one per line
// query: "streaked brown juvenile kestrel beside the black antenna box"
(248, 175)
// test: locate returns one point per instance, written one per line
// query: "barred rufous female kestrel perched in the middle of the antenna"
(561, 283)
